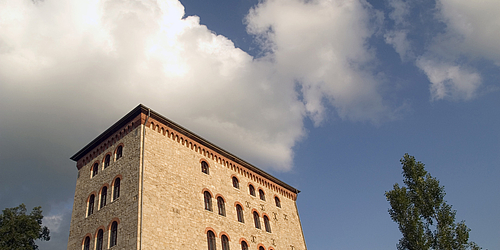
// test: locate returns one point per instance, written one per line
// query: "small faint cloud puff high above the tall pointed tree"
(450, 81)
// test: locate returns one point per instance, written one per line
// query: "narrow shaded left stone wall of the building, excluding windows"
(124, 209)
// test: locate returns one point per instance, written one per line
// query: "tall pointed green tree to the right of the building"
(424, 218)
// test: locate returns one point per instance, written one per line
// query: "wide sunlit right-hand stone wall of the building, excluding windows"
(174, 213)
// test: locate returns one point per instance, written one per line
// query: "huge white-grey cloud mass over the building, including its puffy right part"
(71, 65)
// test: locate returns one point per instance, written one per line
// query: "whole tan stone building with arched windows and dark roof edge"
(148, 183)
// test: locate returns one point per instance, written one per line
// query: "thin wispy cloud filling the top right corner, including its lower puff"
(470, 33)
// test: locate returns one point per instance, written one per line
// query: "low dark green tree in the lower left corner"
(18, 230)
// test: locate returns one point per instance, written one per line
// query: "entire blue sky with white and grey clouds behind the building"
(327, 95)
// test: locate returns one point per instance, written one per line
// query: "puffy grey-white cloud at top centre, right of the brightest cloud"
(323, 45)
